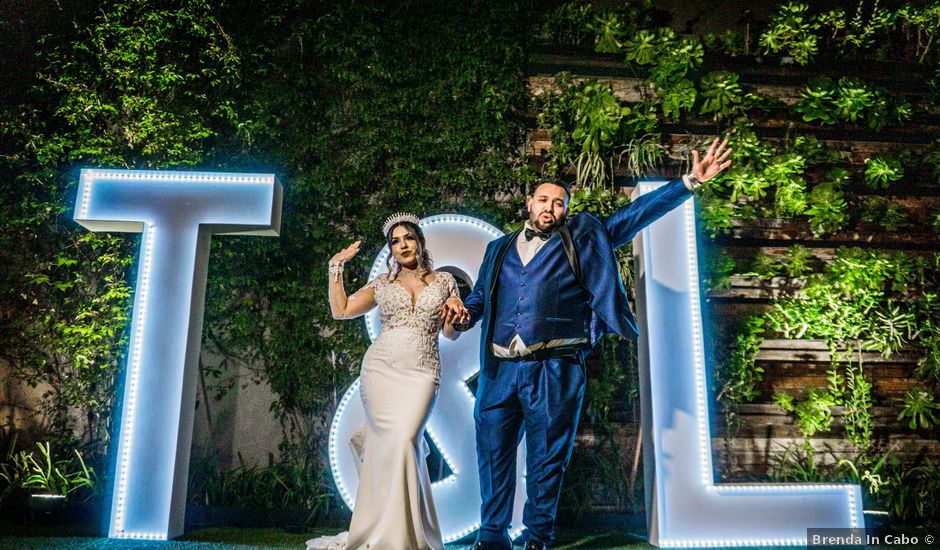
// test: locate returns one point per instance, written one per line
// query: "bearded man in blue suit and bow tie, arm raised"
(545, 294)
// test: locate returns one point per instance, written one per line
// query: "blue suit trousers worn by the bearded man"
(541, 399)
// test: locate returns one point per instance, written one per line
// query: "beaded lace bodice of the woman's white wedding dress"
(396, 309)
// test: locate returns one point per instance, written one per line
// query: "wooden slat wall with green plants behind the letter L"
(841, 152)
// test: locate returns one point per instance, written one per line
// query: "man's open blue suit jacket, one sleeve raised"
(594, 240)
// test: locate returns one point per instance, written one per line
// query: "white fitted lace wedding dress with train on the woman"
(398, 382)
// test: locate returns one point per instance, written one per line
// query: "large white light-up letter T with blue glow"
(177, 213)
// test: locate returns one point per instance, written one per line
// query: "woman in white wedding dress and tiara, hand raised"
(399, 380)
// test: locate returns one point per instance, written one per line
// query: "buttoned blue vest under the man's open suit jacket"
(542, 300)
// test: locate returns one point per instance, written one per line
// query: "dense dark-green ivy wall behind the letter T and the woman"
(360, 109)
